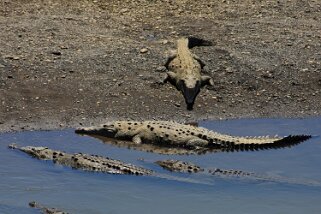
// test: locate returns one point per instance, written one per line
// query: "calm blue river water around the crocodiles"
(24, 179)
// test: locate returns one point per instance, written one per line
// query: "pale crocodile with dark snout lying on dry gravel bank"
(184, 69)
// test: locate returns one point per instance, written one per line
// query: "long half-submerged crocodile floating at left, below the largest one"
(82, 161)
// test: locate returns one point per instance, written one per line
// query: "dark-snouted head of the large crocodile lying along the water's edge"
(106, 130)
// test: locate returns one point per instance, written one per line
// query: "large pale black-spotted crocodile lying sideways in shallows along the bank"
(173, 134)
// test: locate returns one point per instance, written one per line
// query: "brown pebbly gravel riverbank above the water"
(72, 63)
